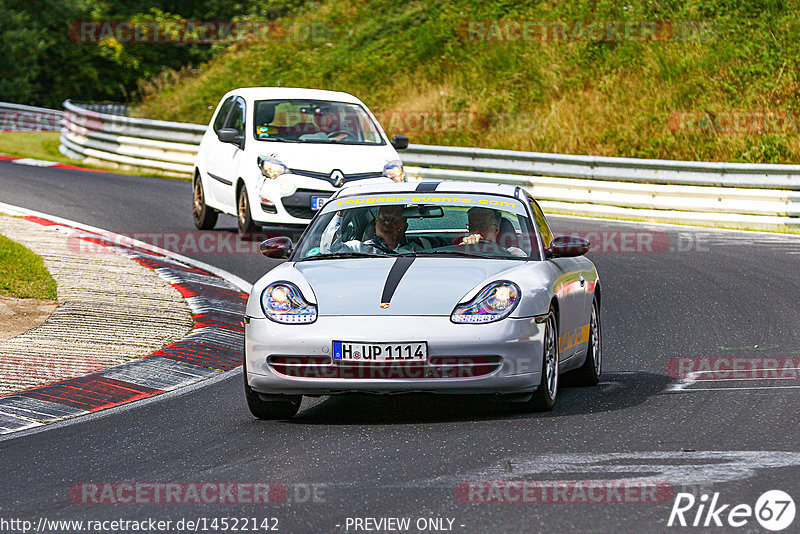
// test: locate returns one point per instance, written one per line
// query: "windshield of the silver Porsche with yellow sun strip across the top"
(479, 226)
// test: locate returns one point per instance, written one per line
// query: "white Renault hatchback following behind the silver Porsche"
(274, 155)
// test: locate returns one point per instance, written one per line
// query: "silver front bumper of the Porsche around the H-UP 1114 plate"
(501, 357)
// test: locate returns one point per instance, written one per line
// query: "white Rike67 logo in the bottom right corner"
(774, 510)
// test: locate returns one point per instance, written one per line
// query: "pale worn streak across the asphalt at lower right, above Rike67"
(672, 467)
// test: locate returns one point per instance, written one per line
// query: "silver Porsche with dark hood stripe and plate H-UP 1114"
(438, 287)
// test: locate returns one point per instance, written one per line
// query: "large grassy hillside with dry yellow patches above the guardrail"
(722, 87)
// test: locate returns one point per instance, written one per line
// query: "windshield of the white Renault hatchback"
(314, 121)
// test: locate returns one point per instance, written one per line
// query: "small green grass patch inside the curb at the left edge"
(23, 273)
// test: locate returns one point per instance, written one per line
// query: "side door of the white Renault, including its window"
(223, 159)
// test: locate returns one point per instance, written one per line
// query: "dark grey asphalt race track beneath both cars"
(700, 294)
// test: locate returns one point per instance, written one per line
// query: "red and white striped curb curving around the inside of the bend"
(215, 344)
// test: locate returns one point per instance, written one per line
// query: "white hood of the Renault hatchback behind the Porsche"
(319, 157)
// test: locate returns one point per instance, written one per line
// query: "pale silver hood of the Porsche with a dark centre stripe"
(430, 286)
